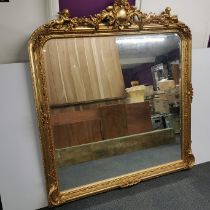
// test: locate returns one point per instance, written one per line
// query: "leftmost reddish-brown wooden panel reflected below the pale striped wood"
(75, 128)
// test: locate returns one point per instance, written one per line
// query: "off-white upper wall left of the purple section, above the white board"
(18, 19)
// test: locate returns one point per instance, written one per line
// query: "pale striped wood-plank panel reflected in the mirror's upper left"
(83, 69)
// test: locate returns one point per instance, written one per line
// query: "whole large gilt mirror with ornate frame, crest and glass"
(113, 97)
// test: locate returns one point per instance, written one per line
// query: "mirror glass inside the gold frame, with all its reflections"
(114, 103)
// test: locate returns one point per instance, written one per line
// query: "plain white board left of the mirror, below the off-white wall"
(22, 183)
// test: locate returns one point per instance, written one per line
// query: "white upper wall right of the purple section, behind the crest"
(194, 13)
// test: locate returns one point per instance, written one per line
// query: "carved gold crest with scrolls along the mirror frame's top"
(120, 16)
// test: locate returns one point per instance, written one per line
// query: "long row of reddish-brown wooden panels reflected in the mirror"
(81, 127)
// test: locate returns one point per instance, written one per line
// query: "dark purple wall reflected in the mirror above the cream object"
(141, 73)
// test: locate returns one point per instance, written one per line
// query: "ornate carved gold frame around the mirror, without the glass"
(121, 18)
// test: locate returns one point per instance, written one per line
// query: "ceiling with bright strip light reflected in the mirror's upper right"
(139, 49)
